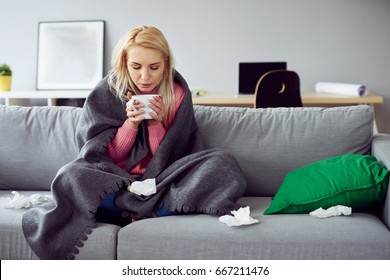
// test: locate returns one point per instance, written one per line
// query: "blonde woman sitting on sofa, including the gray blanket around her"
(118, 149)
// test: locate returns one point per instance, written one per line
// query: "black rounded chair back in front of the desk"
(278, 88)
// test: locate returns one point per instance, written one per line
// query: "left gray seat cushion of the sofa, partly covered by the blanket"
(101, 243)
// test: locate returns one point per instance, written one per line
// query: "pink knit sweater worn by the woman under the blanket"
(123, 142)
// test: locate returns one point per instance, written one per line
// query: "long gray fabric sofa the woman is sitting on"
(268, 143)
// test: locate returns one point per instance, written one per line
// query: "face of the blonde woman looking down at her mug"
(146, 67)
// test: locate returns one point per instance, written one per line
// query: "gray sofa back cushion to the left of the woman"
(35, 142)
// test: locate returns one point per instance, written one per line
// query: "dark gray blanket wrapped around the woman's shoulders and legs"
(188, 179)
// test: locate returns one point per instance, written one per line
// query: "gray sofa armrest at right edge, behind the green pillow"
(380, 149)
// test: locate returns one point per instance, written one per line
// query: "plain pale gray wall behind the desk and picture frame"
(322, 40)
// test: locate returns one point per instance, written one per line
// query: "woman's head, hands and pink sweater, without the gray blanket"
(143, 64)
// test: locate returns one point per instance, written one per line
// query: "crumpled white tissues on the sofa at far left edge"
(21, 201)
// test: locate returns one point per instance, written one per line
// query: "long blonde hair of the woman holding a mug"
(119, 77)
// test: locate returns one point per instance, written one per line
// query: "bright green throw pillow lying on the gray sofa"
(352, 180)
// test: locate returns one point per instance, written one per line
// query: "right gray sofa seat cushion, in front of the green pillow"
(284, 236)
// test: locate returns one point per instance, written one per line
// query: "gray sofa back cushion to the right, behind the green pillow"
(270, 142)
